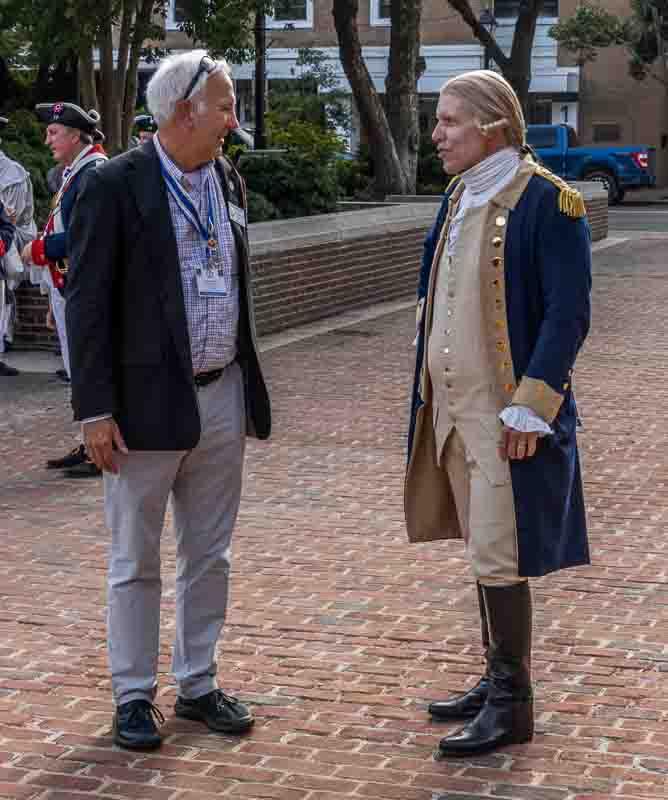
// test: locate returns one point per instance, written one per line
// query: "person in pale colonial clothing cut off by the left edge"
(17, 197)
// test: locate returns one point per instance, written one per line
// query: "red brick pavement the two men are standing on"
(340, 631)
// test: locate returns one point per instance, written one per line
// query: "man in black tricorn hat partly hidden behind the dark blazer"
(75, 143)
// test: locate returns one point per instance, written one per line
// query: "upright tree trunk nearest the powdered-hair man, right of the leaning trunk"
(401, 85)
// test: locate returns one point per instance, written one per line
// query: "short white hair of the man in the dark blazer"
(171, 80)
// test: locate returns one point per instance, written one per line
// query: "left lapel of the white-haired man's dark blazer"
(148, 187)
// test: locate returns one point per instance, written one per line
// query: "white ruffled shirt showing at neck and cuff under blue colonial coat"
(482, 182)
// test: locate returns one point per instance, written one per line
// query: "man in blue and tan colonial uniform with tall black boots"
(503, 309)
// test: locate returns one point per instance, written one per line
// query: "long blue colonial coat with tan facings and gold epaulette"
(536, 250)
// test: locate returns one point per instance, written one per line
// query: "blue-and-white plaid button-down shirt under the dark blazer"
(212, 321)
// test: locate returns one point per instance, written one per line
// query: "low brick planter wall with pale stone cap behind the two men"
(313, 267)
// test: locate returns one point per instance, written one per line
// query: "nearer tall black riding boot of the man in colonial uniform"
(507, 715)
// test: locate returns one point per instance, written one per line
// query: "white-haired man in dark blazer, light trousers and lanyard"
(167, 383)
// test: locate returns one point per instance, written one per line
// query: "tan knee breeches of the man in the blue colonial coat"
(486, 516)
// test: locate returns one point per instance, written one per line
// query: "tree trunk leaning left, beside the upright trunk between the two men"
(388, 173)
